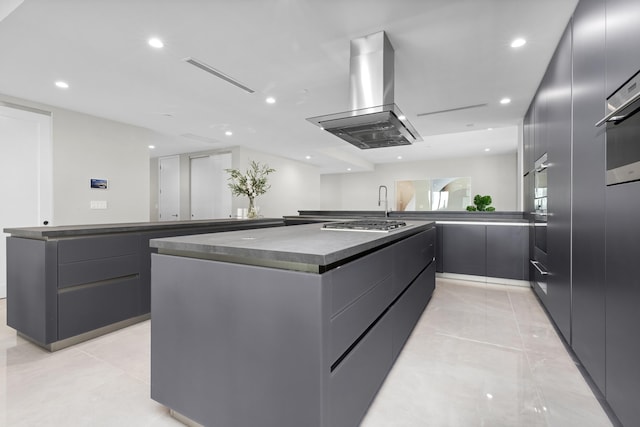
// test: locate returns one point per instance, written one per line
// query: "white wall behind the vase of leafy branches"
(294, 185)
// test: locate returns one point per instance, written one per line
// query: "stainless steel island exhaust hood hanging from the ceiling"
(374, 121)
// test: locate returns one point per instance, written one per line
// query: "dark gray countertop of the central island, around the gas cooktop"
(305, 244)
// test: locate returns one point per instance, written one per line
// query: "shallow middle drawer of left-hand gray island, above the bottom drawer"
(77, 273)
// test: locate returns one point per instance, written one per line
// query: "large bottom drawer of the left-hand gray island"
(88, 308)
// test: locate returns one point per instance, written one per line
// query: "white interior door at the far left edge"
(25, 174)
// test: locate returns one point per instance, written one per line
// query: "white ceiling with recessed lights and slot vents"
(448, 54)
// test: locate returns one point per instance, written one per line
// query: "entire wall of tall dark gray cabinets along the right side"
(593, 235)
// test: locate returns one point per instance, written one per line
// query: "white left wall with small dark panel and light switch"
(86, 147)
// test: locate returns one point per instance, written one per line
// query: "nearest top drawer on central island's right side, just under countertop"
(350, 281)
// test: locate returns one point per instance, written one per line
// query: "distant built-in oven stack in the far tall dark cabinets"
(539, 256)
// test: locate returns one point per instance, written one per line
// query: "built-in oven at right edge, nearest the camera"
(623, 128)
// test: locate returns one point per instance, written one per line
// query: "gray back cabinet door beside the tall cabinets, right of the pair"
(507, 252)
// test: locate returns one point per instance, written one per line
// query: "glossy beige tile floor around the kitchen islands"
(481, 355)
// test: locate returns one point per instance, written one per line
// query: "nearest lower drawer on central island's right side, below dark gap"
(355, 382)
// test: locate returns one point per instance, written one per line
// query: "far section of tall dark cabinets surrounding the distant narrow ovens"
(548, 130)
